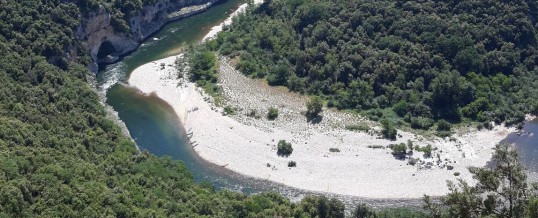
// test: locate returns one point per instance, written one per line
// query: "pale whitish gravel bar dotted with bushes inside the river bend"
(247, 144)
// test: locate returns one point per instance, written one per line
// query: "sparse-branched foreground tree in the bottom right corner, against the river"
(501, 191)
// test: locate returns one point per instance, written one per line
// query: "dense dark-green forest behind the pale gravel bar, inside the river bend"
(421, 61)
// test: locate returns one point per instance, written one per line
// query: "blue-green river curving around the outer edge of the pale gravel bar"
(154, 126)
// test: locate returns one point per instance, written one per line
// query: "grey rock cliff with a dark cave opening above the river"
(106, 44)
